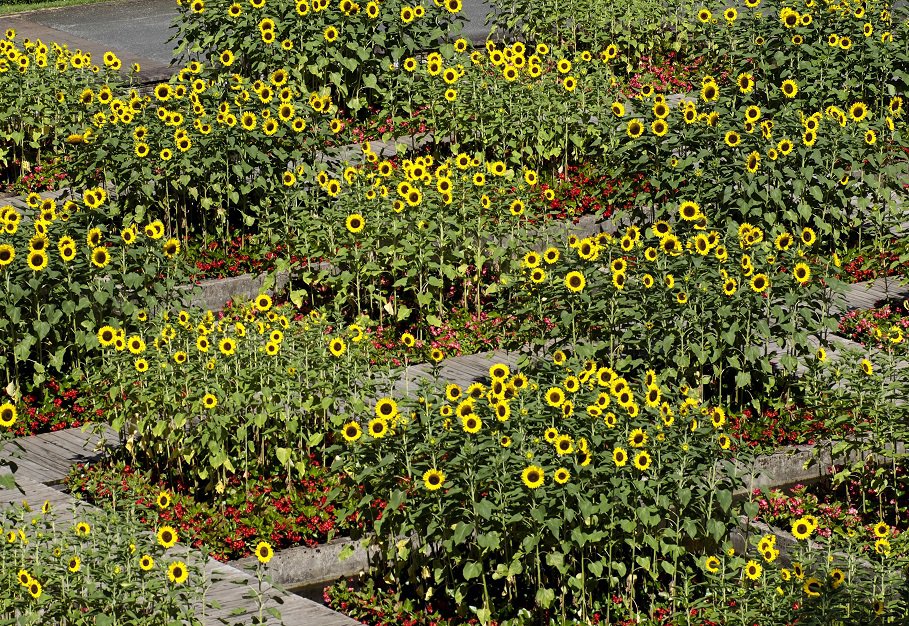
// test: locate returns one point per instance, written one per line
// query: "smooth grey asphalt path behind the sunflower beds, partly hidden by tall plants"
(142, 28)
